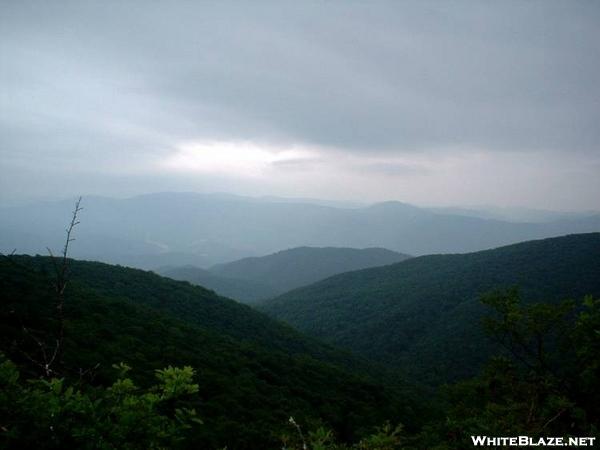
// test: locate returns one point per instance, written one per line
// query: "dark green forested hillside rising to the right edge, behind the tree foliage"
(423, 314)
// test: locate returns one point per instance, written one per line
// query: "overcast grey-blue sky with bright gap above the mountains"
(432, 103)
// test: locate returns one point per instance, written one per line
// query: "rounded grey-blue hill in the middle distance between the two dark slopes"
(290, 269)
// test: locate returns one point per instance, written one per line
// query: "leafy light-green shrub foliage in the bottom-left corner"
(52, 413)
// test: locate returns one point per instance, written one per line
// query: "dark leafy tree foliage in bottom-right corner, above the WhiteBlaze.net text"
(546, 383)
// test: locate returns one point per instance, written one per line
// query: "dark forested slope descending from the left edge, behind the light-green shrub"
(253, 372)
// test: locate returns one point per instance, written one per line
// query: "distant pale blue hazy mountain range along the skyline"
(174, 229)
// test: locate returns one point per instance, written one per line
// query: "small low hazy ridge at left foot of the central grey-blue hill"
(247, 291)
